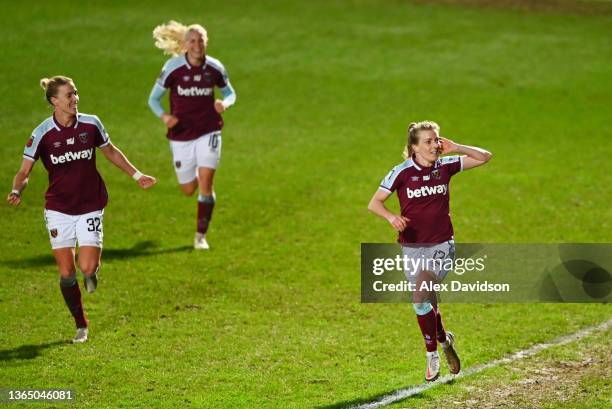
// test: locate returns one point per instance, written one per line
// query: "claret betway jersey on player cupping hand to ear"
(424, 194)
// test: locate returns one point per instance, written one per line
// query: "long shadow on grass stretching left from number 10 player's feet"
(142, 249)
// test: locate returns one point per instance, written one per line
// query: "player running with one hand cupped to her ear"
(425, 231)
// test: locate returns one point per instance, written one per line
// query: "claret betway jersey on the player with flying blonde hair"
(192, 96)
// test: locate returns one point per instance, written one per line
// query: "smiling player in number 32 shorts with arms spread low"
(66, 144)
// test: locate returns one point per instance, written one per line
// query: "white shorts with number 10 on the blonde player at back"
(204, 152)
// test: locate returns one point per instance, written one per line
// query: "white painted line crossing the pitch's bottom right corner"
(404, 393)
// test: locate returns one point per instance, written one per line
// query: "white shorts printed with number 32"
(66, 230)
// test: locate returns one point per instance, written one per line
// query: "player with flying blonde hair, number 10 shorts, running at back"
(194, 122)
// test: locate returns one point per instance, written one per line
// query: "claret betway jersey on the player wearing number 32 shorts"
(69, 155)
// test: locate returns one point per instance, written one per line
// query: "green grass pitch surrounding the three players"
(270, 317)
